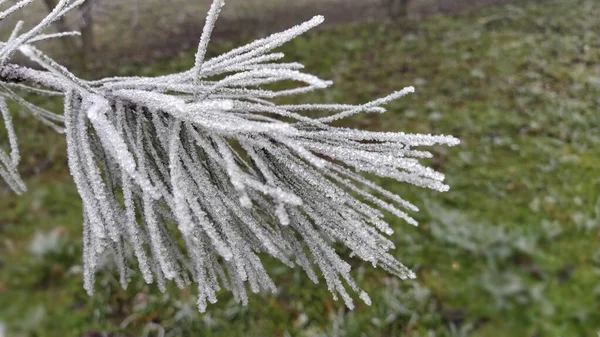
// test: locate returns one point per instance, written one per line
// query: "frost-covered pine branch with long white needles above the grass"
(200, 173)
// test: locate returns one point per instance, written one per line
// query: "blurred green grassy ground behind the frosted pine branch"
(511, 250)
